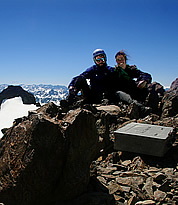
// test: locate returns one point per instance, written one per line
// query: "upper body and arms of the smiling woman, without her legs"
(129, 79)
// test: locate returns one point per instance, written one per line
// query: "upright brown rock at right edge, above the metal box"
(170, 101)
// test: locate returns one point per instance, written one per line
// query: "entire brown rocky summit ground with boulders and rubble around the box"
(62, 156)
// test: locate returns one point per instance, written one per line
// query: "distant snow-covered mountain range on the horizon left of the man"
(44, 93)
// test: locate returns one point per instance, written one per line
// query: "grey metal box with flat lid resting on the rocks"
(144, 138)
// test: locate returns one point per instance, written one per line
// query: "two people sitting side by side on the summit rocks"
(101, 81)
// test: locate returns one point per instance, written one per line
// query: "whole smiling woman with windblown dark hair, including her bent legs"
(124, 87)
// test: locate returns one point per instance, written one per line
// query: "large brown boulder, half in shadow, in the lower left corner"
(32, 154)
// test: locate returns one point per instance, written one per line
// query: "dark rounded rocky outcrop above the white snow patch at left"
(17, 91)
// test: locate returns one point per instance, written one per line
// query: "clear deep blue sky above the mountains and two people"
(51, 41)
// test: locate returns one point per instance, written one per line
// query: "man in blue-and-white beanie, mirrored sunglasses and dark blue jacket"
(93, 82)
